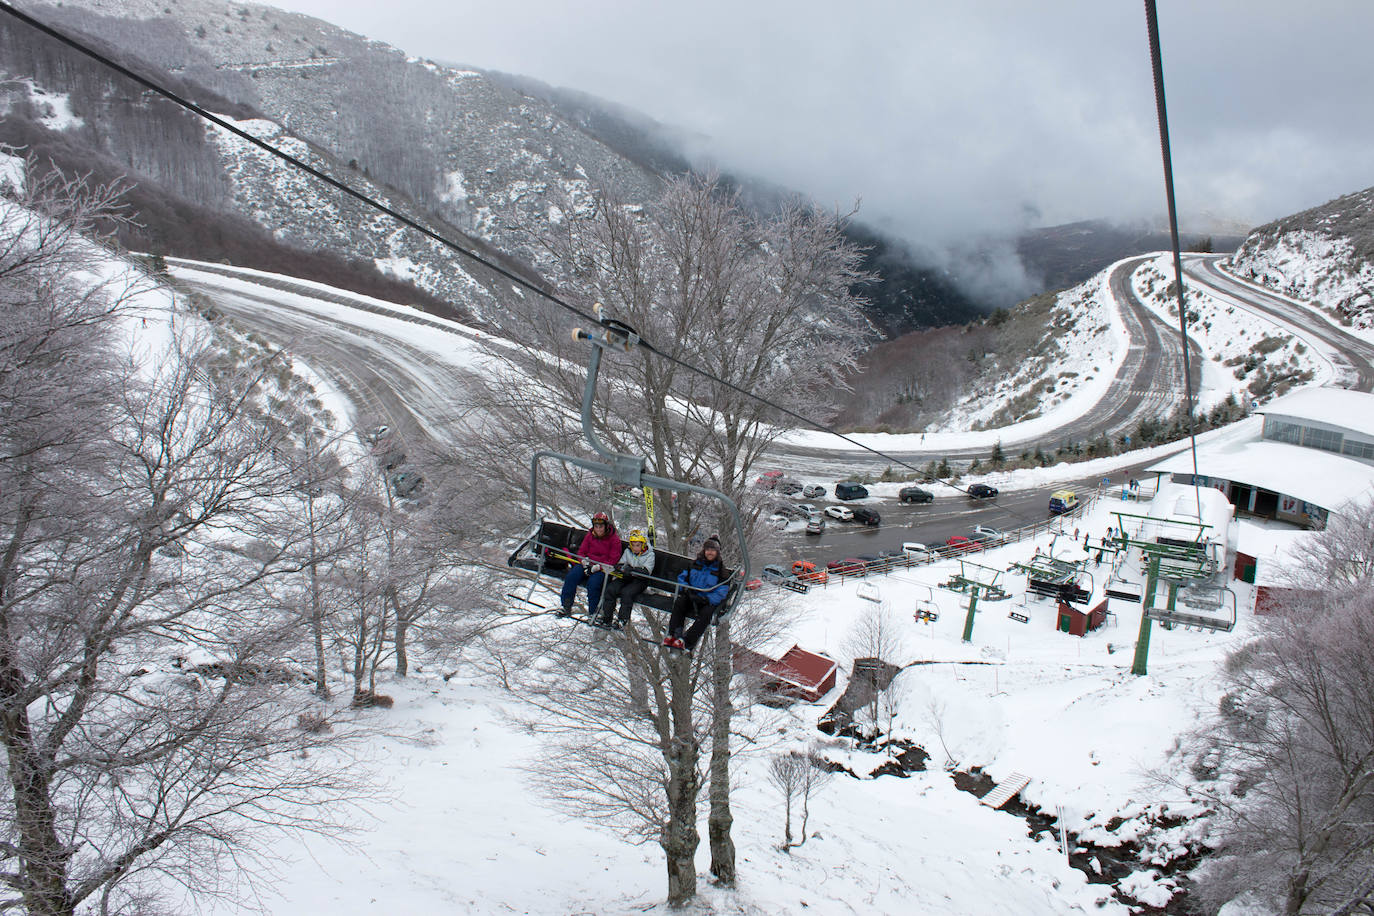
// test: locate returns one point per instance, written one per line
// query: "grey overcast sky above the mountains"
(950, 120)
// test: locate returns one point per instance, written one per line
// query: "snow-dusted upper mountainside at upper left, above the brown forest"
(476, 160)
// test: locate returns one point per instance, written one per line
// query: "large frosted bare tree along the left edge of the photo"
(145, 524)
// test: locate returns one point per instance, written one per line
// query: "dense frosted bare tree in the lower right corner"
(1289, 759)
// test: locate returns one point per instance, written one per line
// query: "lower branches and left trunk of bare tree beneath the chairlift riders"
(629, 727)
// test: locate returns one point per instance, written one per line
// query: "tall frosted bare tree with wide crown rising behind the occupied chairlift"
(765, 306)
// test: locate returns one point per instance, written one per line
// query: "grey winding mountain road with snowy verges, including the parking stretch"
(399, 367)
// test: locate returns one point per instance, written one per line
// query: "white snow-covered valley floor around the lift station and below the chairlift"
(460, 826)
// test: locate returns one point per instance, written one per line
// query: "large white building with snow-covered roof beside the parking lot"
(1299, 459)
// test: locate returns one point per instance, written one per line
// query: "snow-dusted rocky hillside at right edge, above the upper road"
(1325, 256)
